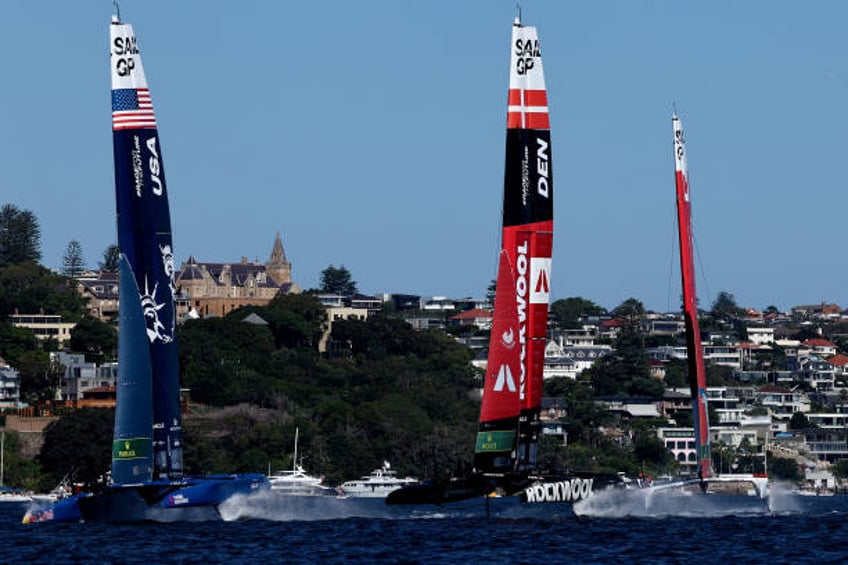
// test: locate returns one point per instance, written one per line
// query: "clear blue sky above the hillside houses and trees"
(371, 134)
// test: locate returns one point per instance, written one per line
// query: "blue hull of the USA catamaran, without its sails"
(190, 499)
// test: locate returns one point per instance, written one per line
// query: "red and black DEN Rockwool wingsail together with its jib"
(509, 427)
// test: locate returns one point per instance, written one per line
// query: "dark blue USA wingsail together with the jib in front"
(148, 379)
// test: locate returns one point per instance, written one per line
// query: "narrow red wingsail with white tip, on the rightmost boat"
(695, 353)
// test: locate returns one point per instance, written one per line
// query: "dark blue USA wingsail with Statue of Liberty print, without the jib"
(144, 238)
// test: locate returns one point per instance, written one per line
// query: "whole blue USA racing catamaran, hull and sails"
(147, 479)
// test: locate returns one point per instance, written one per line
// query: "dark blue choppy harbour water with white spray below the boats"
(278, 529)
